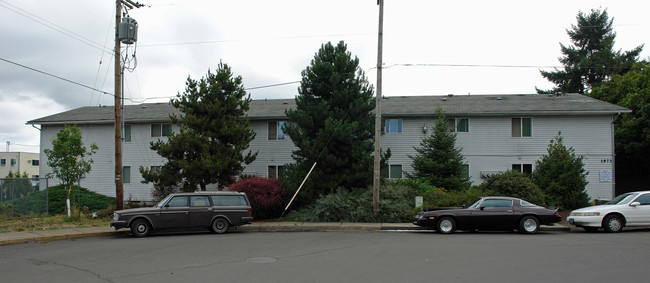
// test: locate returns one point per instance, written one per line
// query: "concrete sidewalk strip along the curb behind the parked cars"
(53, 235)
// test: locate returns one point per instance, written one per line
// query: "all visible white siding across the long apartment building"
(488, 146)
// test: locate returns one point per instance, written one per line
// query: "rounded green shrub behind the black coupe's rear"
(514, 184)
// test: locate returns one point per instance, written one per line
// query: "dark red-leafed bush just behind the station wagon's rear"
(267, 196)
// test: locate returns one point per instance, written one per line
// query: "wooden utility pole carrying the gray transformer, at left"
(119, 188)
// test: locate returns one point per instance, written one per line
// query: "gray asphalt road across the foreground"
(334, 257)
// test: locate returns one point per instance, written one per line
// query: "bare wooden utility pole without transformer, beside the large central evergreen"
(377, 163)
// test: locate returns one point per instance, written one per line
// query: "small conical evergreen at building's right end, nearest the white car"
(562, 177)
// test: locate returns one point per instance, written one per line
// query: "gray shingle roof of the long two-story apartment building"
(396, 106)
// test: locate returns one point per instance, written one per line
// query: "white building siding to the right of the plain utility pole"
(489, 145)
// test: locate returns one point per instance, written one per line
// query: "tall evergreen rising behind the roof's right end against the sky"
(591, 58)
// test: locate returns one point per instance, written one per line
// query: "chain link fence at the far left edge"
(24, 197)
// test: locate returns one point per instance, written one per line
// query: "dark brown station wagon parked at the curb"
(217, 211)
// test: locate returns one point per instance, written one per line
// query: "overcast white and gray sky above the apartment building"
(430, 48)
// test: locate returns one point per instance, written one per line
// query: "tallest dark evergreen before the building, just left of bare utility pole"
(333, 124)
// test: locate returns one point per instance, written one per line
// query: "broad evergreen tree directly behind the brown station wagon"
(213, 134)
